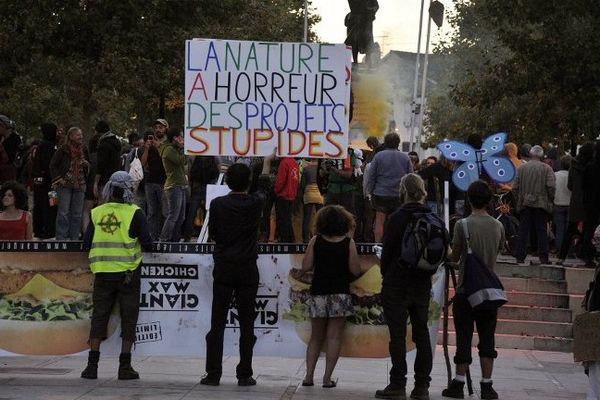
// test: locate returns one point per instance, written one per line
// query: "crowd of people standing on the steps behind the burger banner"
(548, 208)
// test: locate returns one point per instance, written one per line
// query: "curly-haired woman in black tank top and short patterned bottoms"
(332, 255)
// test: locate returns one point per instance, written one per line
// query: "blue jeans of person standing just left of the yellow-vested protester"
(70, 210)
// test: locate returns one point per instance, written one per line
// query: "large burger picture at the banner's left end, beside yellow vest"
(45, 303)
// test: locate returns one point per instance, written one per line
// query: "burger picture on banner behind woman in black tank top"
(366, 334)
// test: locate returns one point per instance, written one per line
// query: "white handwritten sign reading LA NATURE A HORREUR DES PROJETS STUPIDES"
(244, 98)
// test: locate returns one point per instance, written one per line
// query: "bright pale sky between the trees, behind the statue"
(396, 25)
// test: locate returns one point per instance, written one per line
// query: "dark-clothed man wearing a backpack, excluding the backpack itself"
(406, 292)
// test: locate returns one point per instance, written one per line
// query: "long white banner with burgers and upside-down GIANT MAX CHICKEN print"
(46, 304)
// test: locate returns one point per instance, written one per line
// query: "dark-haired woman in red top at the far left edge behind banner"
(15, 220)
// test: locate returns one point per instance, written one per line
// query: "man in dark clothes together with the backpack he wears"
(414, 245)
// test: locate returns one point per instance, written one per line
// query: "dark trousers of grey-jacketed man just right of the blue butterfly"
(536, 218)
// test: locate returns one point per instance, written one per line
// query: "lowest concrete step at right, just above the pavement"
(505, 341)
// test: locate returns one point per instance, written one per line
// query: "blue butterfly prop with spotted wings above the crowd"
(499, 168)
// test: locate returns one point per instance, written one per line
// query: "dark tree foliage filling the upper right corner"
(527, 67)
